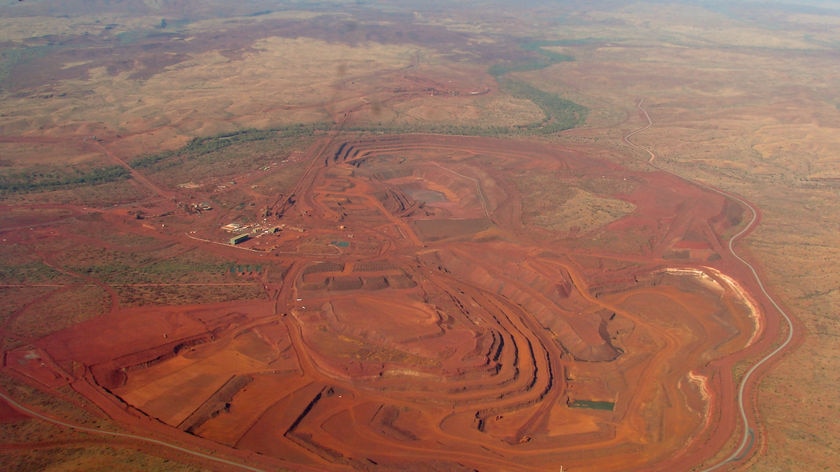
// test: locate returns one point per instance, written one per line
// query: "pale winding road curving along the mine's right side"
(748, 438)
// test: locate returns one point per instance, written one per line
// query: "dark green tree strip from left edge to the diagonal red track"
(39, 179)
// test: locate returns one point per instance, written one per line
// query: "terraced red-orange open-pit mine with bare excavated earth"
(423, 326)
